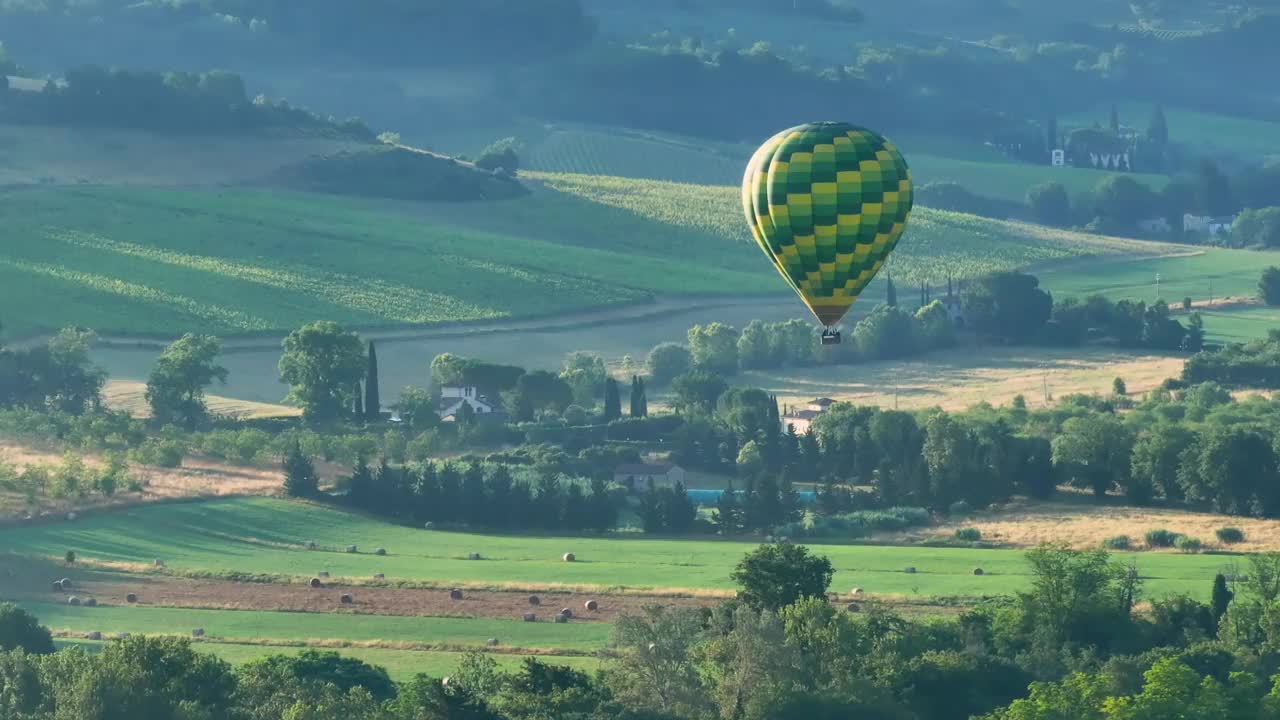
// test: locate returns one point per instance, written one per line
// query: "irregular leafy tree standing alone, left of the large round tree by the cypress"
(176, 389)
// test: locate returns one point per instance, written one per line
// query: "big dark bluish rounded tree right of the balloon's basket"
(1009, 306)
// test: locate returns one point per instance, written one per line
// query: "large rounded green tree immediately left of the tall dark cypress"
(322, 363)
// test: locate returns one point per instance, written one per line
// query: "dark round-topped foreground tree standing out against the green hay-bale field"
(776, 576)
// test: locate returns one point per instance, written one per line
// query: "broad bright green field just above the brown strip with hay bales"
(266, 536)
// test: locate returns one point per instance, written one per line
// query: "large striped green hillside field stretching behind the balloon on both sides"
(149, 261)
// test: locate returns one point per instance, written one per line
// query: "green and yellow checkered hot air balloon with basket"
(828, 203)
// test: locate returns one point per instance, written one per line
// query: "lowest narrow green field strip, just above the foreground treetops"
(400, 664)
